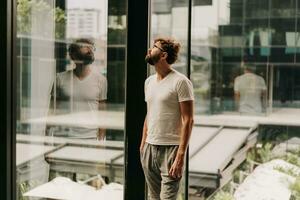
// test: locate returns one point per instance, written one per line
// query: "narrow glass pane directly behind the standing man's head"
(170, 19)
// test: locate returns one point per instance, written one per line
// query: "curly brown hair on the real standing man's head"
(170, 46)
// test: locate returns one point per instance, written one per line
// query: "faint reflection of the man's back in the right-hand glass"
(250, 91)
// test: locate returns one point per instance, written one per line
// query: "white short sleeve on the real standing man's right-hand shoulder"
(185, 91)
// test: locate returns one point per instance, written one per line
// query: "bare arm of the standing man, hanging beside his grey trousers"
(187, 114)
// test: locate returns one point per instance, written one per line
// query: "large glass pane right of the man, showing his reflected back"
(243, 64)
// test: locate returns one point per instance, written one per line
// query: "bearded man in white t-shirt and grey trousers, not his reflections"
(168, 123)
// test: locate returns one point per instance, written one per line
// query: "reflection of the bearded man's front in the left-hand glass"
(82, 88)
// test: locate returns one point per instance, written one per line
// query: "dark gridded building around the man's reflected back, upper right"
(268, 36)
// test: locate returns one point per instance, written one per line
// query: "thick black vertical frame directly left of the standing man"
(135, 110)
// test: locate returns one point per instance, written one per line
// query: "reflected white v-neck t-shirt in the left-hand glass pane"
(75, 95)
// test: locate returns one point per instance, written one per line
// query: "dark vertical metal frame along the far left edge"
(7, 146)
